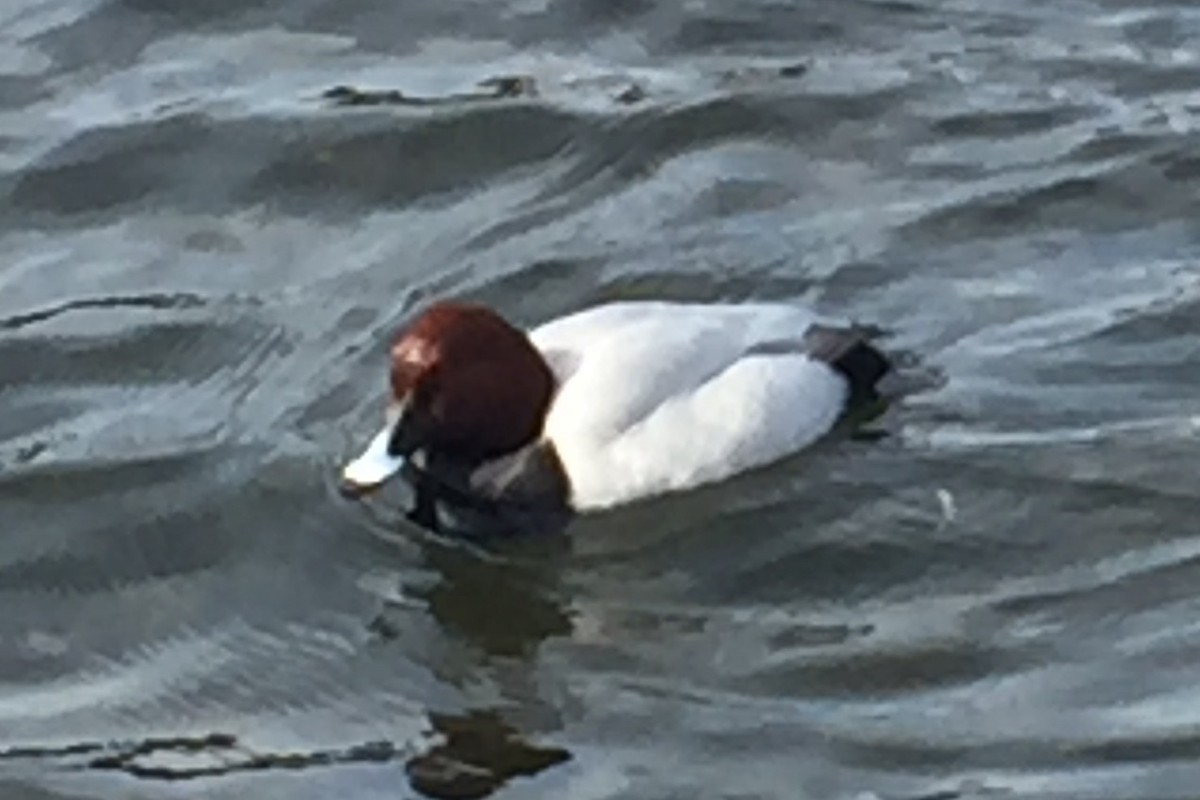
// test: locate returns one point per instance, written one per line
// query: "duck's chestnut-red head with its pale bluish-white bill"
(466, 386)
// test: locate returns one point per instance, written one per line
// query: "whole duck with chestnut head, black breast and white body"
(610, 405)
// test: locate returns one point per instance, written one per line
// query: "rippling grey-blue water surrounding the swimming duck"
(203, 257)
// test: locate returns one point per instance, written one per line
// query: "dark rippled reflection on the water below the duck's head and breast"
(502, 603)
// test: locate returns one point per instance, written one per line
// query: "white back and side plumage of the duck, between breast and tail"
(658, 398)
